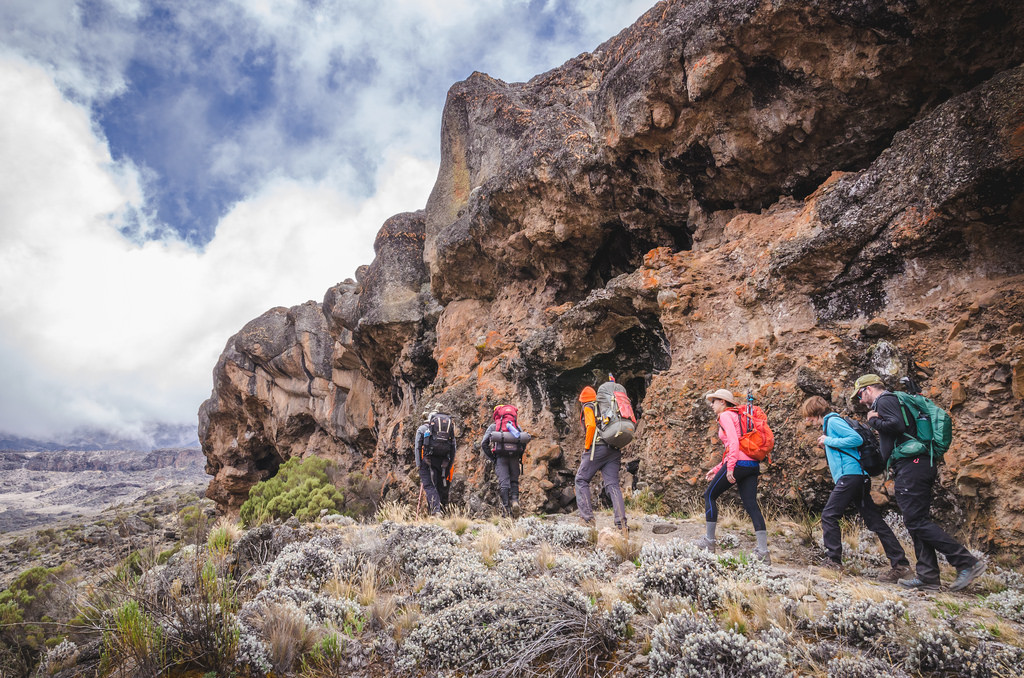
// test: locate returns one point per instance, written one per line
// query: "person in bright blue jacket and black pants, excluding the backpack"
(854, 486)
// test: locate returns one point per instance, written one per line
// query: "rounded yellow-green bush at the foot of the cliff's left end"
(302, 489)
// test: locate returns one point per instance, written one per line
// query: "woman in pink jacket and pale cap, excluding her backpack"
(735, 470)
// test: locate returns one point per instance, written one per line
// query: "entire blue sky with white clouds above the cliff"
(172, 169)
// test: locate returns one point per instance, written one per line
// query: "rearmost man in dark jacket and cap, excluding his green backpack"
(915, 478)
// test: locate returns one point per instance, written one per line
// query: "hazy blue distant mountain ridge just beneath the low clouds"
(153, 437)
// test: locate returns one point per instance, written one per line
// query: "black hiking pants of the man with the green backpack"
(915, 479)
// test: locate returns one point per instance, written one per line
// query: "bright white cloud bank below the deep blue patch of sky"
(101, 331)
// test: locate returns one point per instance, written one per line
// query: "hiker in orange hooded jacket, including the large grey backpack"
(609, 425)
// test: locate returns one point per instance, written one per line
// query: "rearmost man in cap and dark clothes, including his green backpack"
(914, 434)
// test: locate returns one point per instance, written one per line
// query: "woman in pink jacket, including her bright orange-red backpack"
(748, 441)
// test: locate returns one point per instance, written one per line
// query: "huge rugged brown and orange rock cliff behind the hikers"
(766, 197)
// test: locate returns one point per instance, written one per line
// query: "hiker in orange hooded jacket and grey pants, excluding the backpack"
(598, 457)
